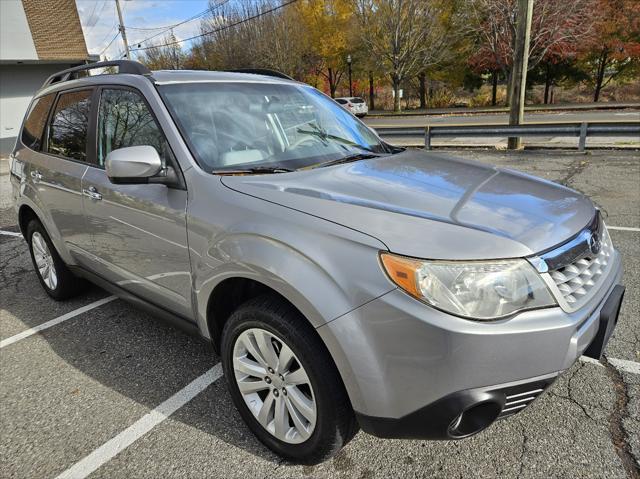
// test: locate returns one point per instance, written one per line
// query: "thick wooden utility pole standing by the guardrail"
(519, 69)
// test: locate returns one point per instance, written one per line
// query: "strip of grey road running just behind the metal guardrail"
(488, 118)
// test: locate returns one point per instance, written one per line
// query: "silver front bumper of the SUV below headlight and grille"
(408, 368)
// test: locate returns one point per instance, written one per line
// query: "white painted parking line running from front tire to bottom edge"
(114, 446)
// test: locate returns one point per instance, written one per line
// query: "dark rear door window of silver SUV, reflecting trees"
(70, 124)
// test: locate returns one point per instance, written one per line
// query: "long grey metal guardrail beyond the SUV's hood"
(580, 130)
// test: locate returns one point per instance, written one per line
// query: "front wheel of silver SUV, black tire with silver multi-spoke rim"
(276, 320)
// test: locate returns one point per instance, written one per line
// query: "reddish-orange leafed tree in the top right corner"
(614, 50)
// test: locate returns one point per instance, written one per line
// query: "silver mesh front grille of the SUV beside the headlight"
(578, 280)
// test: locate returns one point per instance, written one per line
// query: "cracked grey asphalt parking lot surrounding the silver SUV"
(111, 392)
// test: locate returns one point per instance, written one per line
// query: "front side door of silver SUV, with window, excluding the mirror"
(138, 231)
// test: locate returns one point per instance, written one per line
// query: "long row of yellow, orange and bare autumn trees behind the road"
(405, 43)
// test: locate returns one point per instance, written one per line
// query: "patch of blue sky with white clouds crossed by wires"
(99, 20)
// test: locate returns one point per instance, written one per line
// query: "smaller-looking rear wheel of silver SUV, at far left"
(63, 284)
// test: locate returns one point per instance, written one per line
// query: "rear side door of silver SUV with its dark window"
(55, 172)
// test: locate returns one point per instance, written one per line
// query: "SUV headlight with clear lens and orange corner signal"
(476, 289)
